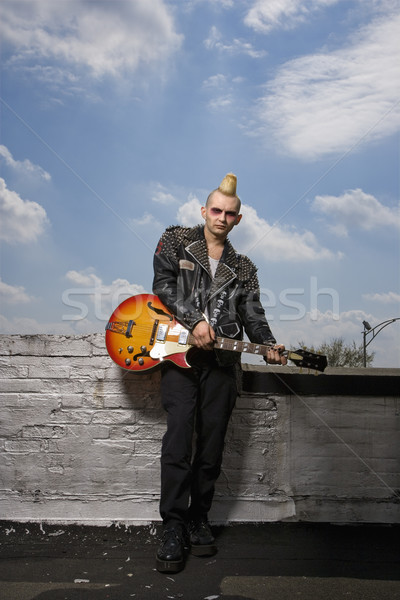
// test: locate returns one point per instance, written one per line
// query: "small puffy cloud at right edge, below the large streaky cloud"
(356, 209)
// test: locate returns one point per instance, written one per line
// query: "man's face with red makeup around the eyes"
(221, 214)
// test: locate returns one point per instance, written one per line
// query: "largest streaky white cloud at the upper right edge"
(331, 102)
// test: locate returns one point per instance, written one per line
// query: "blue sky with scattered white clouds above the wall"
(119, 117)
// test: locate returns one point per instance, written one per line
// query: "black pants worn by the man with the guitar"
(199, 402)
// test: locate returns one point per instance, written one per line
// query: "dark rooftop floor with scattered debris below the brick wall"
(269, 561)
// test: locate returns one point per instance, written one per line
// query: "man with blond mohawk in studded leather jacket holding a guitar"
(213, 291)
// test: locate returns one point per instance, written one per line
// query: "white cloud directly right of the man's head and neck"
(254, 234)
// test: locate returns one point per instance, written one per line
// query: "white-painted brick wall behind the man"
(80, 440)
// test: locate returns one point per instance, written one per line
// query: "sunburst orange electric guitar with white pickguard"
(142, 332)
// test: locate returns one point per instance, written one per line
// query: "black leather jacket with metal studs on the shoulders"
(230, 300)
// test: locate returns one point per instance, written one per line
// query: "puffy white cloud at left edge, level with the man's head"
(21, 221)
